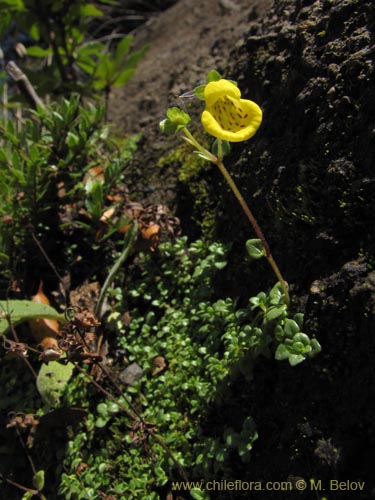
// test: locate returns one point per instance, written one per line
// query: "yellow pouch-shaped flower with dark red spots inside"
(227, 116)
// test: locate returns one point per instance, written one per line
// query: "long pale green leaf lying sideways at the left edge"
(25, 310)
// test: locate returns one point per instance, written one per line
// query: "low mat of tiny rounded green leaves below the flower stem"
(207, 344)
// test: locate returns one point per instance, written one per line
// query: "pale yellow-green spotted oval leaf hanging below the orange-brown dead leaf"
(51, 381)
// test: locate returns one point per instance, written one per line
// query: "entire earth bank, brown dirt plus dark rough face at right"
(309, 176)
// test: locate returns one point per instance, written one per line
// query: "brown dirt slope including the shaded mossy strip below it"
(185, 42)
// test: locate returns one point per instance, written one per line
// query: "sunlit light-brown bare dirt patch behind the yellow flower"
(186, 42)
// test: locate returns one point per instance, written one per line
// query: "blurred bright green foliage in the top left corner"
(71, 61)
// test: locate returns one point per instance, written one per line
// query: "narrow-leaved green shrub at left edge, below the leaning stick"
(42, 179)
